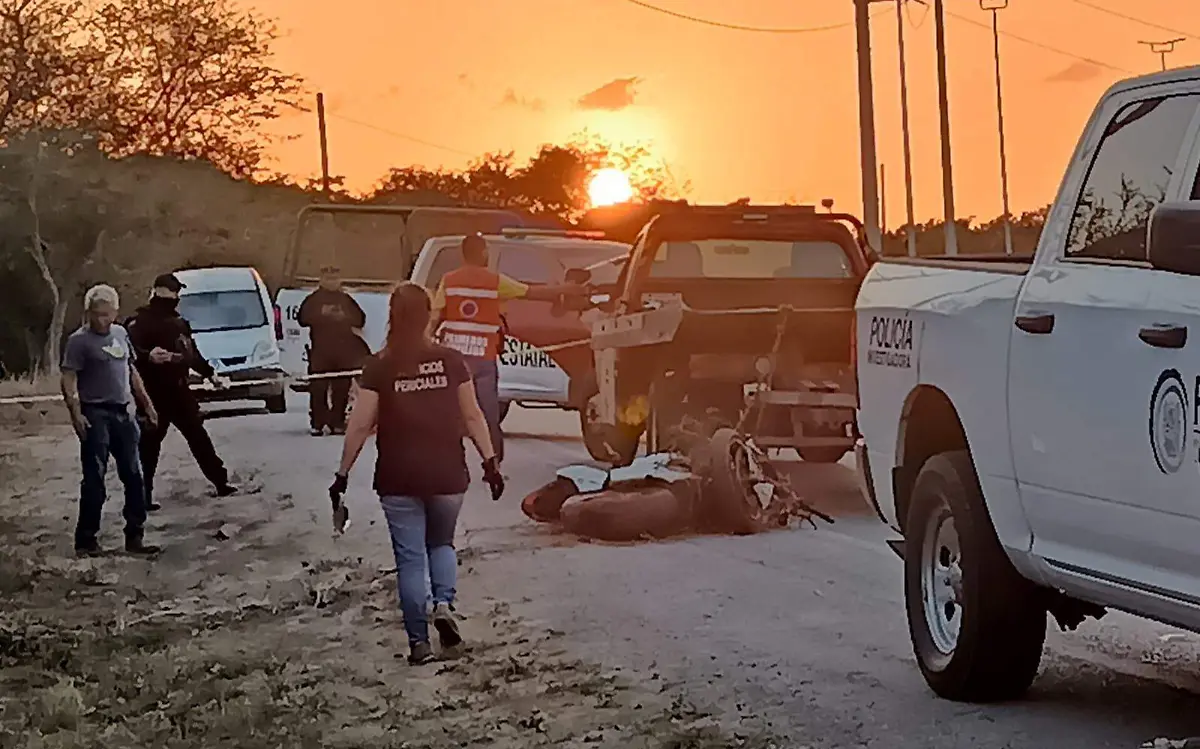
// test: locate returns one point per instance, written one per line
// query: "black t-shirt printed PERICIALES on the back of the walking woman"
(421, 428)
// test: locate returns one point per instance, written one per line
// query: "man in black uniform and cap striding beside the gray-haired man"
(166, 353)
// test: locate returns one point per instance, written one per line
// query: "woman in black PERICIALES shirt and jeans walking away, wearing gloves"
(419, 400)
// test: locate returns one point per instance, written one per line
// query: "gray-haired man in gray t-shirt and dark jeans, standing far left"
(100, 385)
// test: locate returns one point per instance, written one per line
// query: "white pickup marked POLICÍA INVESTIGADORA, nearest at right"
(1033, 429)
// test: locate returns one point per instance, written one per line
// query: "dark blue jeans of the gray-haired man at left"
(115, 433)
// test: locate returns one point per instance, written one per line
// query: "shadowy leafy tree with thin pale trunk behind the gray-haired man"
(64, 203)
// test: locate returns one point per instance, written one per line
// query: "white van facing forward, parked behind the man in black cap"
(230, 311)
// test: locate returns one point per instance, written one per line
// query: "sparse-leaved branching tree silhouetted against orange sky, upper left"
(190, 79)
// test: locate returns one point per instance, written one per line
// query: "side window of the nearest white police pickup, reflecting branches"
(1129, 178)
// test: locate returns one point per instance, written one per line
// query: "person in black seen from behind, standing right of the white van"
(335, 326)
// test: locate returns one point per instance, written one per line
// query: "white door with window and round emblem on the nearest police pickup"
(1083, 382)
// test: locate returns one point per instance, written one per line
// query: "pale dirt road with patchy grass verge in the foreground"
(795, 639)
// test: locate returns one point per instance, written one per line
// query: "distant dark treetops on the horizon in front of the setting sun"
(553, 183)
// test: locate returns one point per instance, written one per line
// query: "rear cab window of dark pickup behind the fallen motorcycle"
(751, 259)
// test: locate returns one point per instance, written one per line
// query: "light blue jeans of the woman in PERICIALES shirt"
(423, 541)
